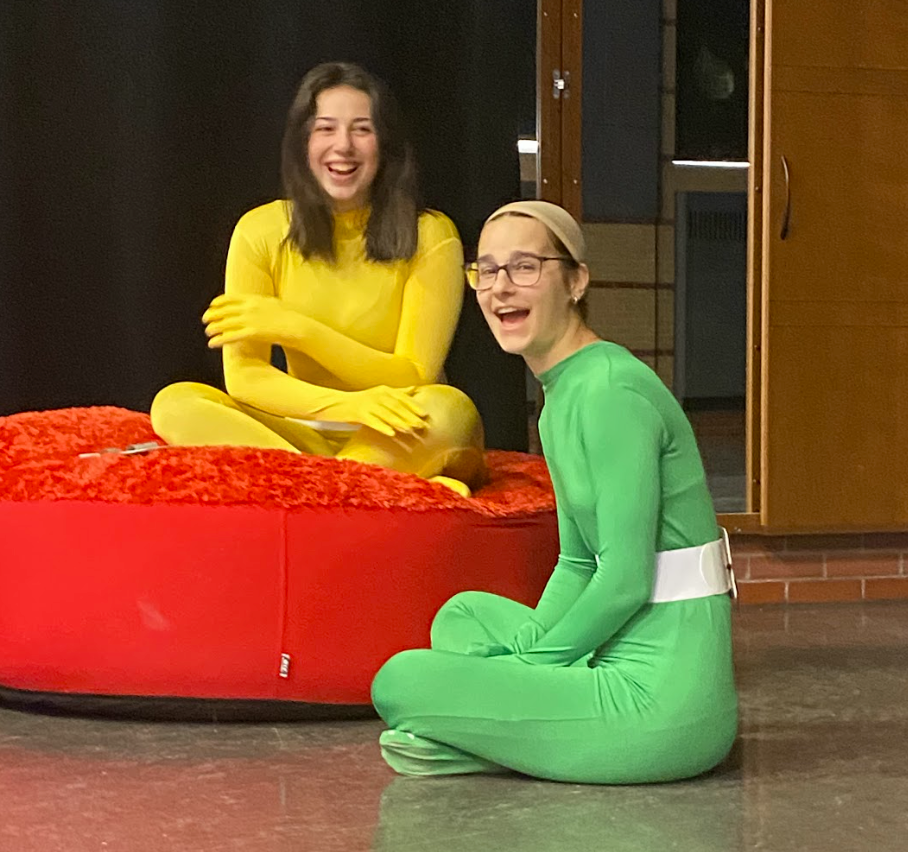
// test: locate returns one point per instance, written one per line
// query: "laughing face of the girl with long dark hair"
(343, 147)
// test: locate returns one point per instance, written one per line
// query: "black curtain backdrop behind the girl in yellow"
(134, 135)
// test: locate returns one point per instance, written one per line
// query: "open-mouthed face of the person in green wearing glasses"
(539, 322)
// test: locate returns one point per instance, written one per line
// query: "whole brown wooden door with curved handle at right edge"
(835, 266)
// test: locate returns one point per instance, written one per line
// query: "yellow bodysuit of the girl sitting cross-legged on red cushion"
(359, 325)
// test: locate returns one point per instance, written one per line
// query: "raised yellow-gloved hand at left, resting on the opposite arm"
(231, 319)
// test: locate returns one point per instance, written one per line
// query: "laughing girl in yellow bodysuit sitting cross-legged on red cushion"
(360, 289)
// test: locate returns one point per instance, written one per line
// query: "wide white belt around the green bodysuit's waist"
(694, 572)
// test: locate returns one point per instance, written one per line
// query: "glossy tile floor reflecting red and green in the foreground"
(821, 764)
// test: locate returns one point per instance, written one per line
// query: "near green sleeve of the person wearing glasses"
(619, 447)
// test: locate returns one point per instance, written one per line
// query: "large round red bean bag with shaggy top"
(233, 573)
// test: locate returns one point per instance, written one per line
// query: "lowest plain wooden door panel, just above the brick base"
(837, 436)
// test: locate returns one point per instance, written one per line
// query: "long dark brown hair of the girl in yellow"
(391, 232)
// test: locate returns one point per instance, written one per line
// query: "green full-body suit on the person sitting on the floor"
(596, 684)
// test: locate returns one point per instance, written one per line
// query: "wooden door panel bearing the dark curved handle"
(849, 197)
